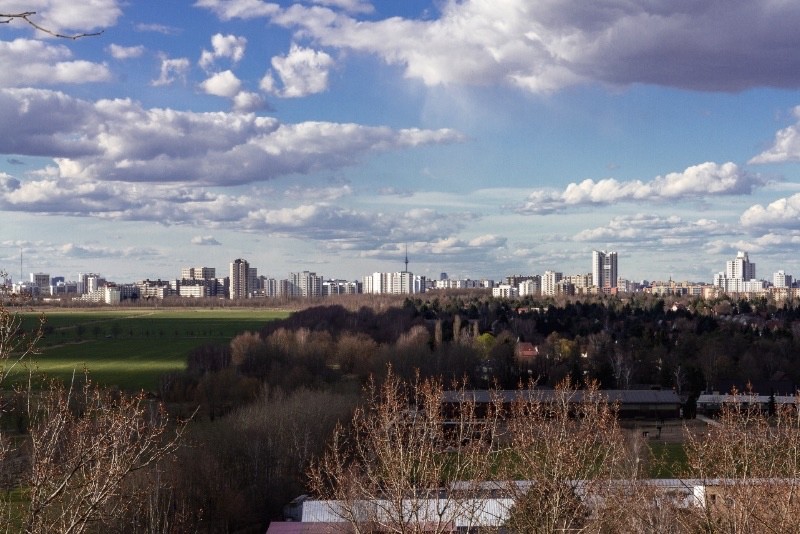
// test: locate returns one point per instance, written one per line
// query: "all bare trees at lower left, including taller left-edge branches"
(69, 452)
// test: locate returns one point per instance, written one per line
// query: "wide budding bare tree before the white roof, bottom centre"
(389, 469)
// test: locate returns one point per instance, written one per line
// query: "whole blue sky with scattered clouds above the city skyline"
(484, 137)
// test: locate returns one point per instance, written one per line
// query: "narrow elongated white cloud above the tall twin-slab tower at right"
(698, 180)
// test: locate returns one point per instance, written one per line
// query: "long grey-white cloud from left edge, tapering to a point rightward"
(119, 140)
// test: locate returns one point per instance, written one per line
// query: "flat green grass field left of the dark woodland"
(132, 348)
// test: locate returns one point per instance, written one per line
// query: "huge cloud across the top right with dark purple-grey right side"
(544, 46)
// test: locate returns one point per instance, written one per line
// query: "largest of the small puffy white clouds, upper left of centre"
(302, 72)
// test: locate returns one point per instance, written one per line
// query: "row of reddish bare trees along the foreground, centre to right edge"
(408, 464)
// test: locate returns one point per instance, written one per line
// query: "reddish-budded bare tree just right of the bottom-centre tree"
(565, 448)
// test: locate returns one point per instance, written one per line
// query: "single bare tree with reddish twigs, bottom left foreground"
(84, 442)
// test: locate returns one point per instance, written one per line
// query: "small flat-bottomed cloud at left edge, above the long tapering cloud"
(30, 62)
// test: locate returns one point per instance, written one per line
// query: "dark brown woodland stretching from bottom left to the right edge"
(263, 406)
